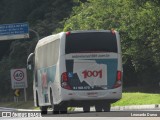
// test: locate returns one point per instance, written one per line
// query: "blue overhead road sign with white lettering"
(14, 31)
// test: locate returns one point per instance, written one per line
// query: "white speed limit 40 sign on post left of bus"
(19, 80)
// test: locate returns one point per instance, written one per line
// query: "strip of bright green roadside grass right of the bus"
(138, 99)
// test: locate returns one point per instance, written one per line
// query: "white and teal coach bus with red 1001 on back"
(77, 69)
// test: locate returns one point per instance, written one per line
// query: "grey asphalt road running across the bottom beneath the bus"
(153, 114)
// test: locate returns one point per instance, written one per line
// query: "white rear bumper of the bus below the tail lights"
(74, 98)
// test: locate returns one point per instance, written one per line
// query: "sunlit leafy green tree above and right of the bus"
(138, 24)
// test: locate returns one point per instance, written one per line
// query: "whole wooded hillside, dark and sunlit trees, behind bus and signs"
(136, 20)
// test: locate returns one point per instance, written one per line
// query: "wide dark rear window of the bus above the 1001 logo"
(90, 42)
